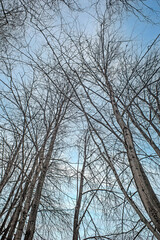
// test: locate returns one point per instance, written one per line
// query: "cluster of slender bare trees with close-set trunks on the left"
(32, 115)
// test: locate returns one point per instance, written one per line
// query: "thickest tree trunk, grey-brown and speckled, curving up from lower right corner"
(144, 188)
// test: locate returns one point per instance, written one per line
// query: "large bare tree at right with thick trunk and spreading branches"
(120, 102)
